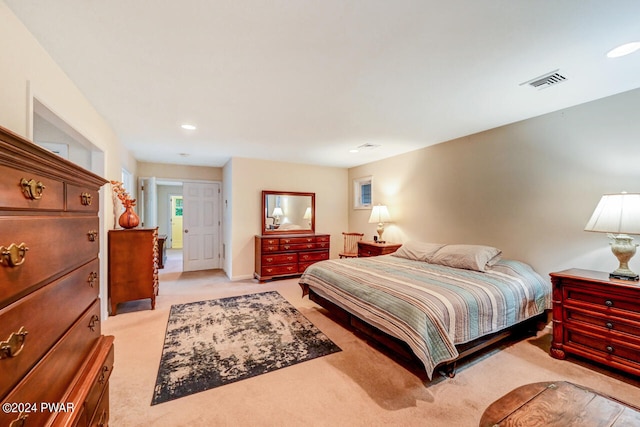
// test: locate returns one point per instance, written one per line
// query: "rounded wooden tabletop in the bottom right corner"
(558, 404)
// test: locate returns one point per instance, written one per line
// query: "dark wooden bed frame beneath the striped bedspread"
(527, 327)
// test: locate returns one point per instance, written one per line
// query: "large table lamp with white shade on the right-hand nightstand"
(618, 215)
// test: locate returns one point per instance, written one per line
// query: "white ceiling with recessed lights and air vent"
(306, 81)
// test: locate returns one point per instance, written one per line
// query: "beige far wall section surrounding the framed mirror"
(244, 180)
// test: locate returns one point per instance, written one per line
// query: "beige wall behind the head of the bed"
(528, 188)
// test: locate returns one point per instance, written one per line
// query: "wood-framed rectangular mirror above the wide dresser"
(288, 212)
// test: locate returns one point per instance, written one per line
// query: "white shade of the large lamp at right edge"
(616, 213)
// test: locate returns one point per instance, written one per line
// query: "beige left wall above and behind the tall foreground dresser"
(27, 71)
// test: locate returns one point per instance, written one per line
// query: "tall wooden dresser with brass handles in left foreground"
(55, 364)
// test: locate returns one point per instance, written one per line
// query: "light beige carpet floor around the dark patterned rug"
(358, 386)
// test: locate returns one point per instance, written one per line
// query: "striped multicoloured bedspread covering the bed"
(431, 307)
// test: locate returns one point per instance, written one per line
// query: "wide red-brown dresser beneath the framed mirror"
(288, 255)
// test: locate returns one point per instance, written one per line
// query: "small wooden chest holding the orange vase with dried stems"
(133, 266)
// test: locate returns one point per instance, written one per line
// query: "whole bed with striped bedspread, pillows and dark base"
(437, 303)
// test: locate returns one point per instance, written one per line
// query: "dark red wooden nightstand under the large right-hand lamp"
(596, 318)
